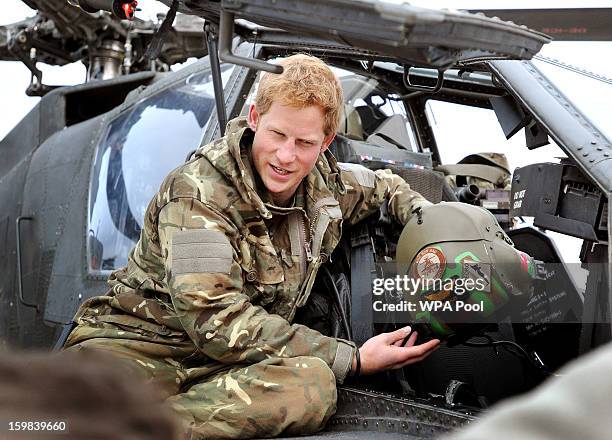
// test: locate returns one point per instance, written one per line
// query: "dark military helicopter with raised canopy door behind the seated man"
(88, 158)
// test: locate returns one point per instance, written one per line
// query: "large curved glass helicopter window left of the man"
(141, 146)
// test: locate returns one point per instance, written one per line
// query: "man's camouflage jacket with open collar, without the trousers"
(218, 261)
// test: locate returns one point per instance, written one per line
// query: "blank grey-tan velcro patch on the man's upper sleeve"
(201, 251)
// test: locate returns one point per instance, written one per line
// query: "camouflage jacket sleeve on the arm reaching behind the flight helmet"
(366, 191)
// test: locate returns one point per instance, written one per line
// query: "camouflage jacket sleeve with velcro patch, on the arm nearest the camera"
(202, 252)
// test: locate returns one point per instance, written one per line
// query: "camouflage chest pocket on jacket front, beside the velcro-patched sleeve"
(262, 270)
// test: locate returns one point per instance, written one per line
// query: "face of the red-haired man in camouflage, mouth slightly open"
(286, 146)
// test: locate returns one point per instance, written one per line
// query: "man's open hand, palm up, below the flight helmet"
(385, 352)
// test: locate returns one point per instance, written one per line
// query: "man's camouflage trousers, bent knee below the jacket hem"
(292, 396)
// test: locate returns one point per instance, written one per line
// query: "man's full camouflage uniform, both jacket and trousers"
(204, 306)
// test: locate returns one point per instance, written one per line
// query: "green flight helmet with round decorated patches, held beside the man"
(447, 244)
